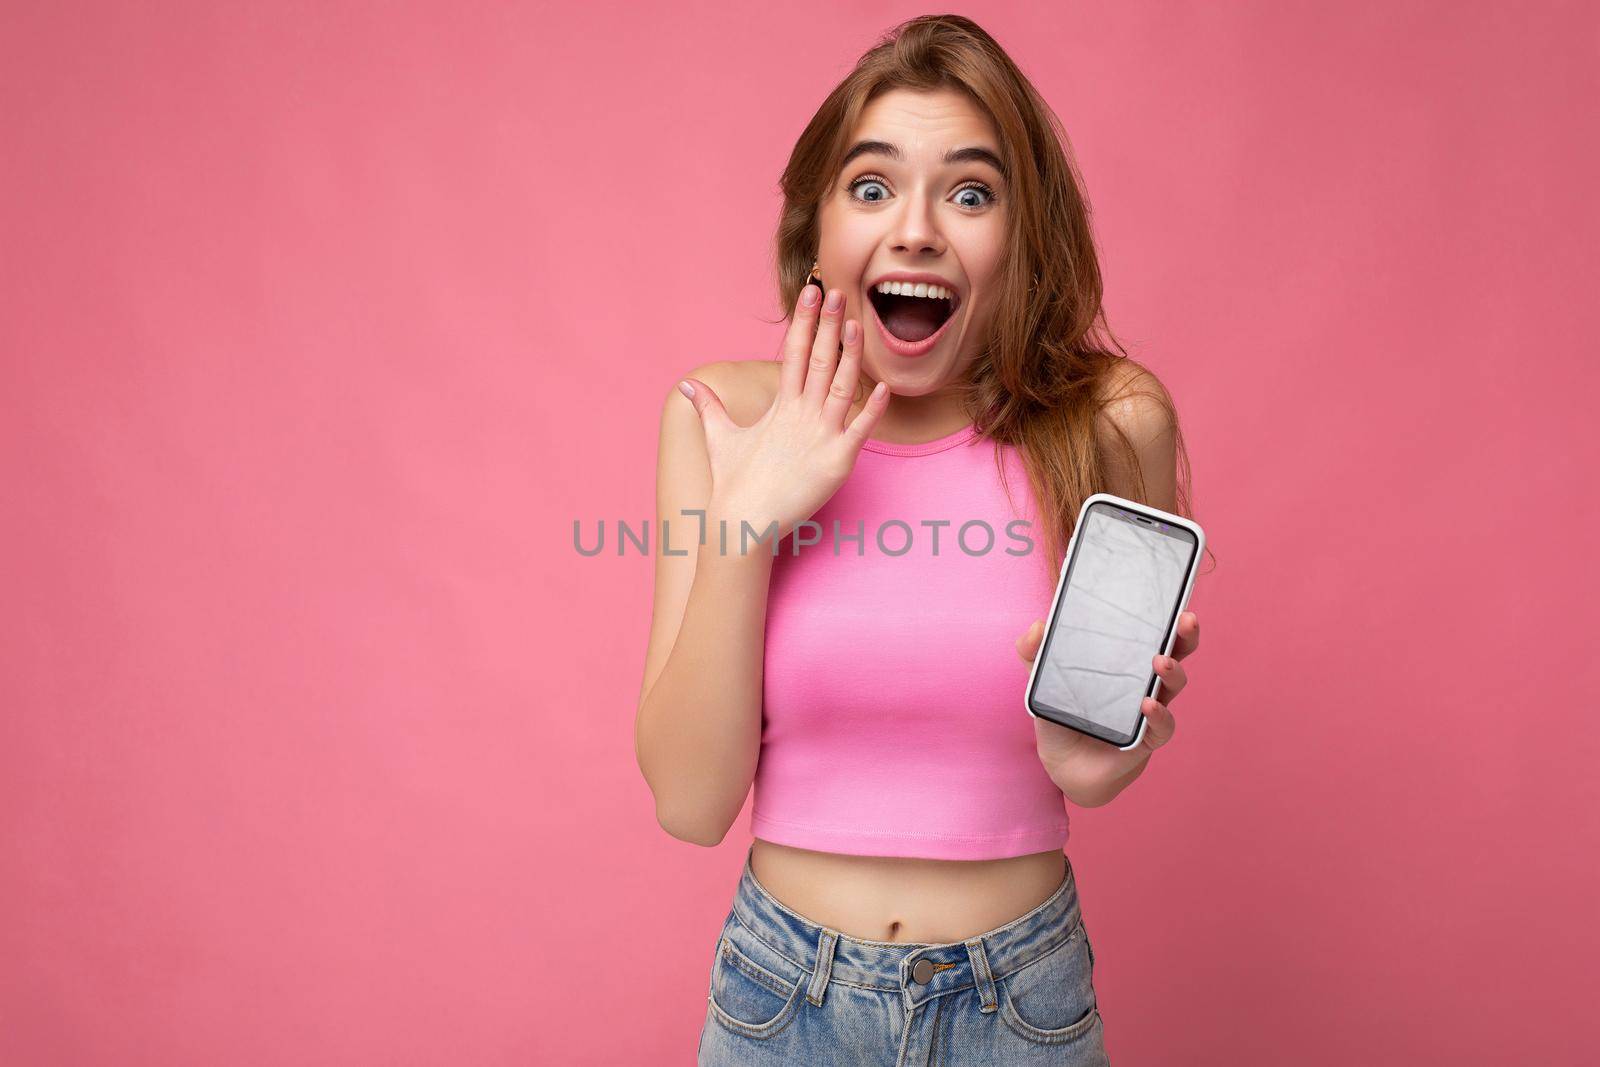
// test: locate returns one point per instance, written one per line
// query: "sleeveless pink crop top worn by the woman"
(894, 719)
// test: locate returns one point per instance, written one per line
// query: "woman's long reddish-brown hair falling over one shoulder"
(1050, 367)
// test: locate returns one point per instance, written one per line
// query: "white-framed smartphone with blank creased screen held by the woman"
(1127, 577)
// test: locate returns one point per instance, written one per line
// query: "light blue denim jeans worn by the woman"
(788, 991)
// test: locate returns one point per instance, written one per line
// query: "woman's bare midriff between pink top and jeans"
(887, 898)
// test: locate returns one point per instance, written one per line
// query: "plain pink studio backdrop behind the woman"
(324, 322)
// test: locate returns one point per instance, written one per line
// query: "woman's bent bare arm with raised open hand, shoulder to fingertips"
(698, 732)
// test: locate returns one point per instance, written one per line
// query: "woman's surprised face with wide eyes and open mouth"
(902, 207)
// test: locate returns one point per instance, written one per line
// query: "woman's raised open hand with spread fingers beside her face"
(794, 458)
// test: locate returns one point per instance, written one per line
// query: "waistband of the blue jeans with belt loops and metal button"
(894, 965)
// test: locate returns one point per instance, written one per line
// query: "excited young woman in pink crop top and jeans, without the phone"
(945, 372)
